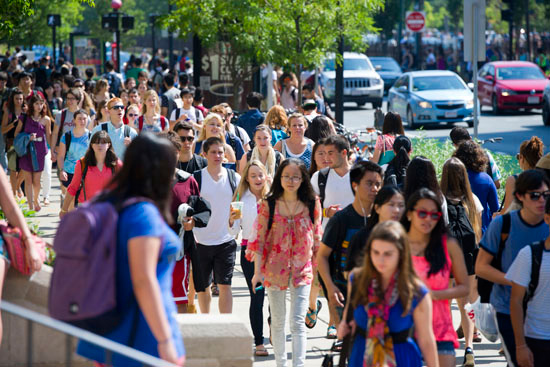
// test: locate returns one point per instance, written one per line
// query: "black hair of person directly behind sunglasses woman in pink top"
(421, 174)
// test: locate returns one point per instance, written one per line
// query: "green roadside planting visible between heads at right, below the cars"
(439, 152)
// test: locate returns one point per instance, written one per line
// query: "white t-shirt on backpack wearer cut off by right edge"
(537, 319)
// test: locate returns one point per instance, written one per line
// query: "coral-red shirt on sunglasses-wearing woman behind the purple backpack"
(94, 182)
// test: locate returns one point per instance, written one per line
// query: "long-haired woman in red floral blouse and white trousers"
(284, 248)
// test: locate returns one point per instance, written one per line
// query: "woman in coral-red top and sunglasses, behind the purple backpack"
(100, 163)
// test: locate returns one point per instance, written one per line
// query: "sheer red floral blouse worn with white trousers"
(288, 251)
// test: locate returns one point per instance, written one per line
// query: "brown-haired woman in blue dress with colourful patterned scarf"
(387, 299)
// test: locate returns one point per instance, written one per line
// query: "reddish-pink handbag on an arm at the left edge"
(16, 248)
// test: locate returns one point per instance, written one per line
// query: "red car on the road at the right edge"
(511, 85)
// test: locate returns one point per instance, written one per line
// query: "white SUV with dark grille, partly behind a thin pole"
(362, 83)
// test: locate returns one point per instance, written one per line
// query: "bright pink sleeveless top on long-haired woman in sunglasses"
(442, 320)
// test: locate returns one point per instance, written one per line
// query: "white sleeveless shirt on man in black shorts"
(219, 195)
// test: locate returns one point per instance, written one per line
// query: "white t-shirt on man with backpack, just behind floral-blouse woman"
(337, 190)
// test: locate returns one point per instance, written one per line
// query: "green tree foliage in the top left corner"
(24, 21)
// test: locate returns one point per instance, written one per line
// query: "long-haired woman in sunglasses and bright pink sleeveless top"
(435, 257)
